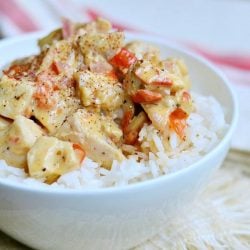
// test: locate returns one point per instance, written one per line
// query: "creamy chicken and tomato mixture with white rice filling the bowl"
(93, 110)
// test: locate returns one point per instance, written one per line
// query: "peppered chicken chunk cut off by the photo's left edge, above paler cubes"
(15, 97)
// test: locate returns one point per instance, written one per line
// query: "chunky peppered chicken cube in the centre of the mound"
(99, 90)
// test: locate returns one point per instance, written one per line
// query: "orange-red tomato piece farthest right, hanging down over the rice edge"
(177, 120)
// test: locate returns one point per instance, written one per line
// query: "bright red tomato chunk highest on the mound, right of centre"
(124, 59)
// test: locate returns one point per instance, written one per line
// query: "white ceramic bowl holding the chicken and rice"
(112, 218)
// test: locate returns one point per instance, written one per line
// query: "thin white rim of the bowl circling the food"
(6, 183)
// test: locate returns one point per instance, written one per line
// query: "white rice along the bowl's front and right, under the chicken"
(205, 128)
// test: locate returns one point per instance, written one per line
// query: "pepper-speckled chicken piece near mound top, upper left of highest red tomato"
(105, 44)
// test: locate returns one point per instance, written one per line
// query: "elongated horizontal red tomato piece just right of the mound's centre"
(146, 96)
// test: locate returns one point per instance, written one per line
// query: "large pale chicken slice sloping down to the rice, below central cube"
(96, 134)
